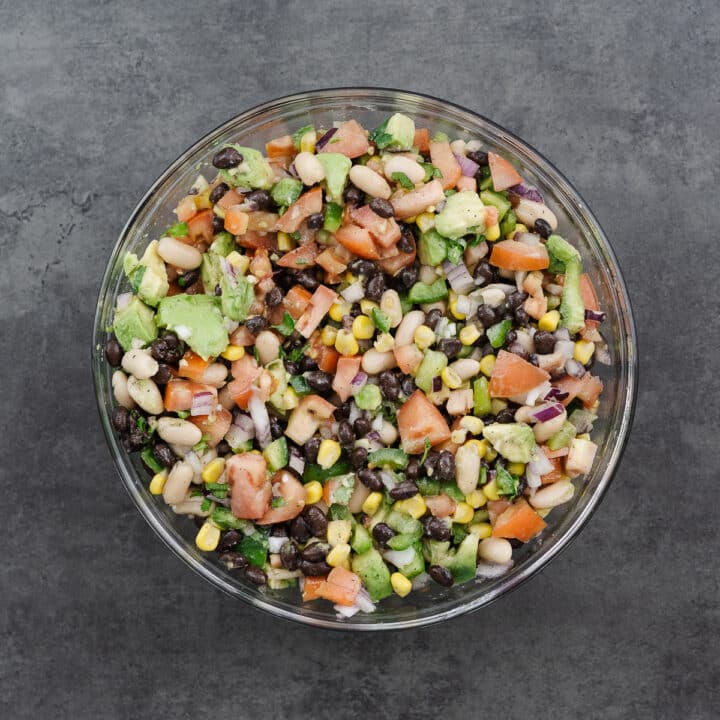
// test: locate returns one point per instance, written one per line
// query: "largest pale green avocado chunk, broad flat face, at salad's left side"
(197, 320)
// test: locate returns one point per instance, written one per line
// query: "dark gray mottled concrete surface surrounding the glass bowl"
(97, 619)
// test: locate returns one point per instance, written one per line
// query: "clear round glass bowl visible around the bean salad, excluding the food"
(370, 106)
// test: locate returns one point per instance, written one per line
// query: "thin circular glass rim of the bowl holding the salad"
(531, 567)
